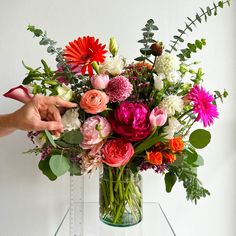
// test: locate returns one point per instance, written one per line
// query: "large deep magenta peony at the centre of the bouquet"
(131, 121)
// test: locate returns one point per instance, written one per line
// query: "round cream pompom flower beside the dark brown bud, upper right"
(166, 63)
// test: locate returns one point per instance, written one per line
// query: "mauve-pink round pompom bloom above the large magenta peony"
(119, 89)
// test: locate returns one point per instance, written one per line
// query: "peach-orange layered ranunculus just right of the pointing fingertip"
(94, 101)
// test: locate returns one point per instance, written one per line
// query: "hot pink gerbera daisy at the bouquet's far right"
(202, 105)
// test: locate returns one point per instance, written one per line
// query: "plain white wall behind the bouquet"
(30, 205)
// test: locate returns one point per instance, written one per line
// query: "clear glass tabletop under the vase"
(82, 219)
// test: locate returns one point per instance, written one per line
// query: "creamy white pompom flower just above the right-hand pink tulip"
(171, 104)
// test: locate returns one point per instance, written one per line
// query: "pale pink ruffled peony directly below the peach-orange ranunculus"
(94, 130)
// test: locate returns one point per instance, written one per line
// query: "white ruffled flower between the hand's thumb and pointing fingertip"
(70, 119)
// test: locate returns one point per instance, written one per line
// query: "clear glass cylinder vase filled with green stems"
(120, 196)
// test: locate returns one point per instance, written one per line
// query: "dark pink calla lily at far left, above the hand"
(19, 93)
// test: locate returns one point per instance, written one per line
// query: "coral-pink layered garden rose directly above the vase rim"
(117, 152)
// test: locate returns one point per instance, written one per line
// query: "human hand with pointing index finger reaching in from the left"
(40, 113)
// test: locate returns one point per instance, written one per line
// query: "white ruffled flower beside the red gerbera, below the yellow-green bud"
(114, 66)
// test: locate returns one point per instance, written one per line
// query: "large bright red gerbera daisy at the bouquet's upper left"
(84, 51)
